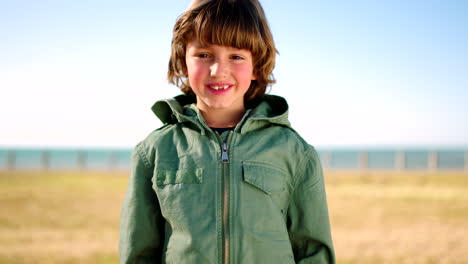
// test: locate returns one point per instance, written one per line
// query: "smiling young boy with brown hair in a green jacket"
(226, 179)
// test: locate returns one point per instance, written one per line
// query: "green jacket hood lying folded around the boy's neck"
(270, 109)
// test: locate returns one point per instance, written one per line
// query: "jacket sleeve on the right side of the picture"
(308, 221)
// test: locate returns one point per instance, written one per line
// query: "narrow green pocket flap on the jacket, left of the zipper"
(165, 177)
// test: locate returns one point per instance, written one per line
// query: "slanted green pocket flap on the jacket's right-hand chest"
(268, 179)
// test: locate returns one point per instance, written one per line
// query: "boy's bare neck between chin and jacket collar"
(221, 118)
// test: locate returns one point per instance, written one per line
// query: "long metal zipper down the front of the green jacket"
(225, 197)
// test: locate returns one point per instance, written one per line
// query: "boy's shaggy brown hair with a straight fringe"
(236, 23)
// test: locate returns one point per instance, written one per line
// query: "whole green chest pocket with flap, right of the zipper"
(265, 196)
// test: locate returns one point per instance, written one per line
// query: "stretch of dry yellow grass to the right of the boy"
(399, 217)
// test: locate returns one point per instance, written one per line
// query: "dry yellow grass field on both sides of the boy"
(72, 217)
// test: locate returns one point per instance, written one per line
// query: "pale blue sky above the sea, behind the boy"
(355, 73)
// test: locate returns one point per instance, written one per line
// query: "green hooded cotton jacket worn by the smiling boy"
(252, 195)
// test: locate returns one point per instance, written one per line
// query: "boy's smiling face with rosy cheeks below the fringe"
(219, 75)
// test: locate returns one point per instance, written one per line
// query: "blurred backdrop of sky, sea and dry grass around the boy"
(379, 88)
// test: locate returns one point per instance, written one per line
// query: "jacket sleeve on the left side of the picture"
(141, 224)
